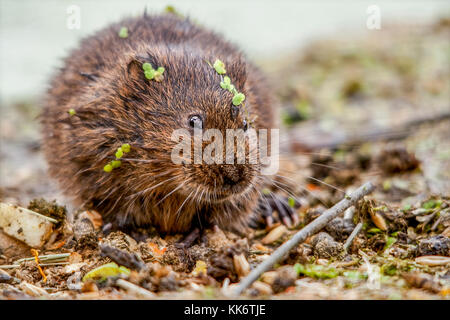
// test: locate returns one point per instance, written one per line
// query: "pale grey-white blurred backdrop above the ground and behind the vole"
(35, 37)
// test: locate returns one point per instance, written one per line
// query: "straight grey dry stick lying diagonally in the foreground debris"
(303, 234)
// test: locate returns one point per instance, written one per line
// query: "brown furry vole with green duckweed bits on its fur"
(114, 103)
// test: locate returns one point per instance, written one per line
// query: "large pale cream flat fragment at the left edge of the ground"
(25, 225)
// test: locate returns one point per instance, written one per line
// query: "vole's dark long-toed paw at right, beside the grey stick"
(285, 208)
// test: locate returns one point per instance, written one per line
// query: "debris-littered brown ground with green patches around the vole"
(354, 109)
